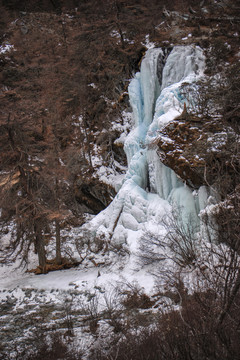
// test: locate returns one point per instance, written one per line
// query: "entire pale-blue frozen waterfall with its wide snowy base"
(150, 189)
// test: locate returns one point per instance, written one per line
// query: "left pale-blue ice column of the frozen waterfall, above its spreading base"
(143, 92)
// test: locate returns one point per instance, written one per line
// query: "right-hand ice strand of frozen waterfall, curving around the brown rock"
(183, 64)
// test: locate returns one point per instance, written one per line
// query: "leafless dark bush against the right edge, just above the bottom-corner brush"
(219, 268)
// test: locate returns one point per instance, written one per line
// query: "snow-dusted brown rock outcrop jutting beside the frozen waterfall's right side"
(196, 149)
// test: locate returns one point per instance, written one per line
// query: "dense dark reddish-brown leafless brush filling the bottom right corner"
(193, 333)
